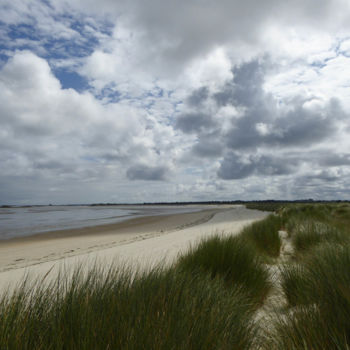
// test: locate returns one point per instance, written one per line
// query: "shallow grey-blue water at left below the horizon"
(19, 222)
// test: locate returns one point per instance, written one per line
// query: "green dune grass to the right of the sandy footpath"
(315, 281)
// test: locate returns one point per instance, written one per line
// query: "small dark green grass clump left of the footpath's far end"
(264, 235)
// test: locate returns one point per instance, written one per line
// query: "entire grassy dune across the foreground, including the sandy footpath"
(215, 296)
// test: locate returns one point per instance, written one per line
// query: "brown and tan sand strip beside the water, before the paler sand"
(52, 245)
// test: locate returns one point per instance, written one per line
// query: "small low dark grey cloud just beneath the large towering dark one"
(234, 166)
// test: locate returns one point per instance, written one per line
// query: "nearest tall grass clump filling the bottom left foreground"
(112, 309)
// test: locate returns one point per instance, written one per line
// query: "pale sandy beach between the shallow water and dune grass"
(141, 242)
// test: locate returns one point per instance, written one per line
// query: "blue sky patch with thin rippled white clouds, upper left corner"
(60, 34)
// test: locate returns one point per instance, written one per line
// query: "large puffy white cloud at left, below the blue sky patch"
(48, 127)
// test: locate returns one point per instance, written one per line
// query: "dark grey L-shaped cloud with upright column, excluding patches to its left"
(295, 126)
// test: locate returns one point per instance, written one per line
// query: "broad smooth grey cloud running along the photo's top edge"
(170, 36)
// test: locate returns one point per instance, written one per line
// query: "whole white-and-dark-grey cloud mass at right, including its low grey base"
(257, 135)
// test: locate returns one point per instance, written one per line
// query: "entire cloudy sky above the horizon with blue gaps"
(130, 101)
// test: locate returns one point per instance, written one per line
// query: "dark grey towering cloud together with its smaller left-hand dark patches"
(264, 123)
